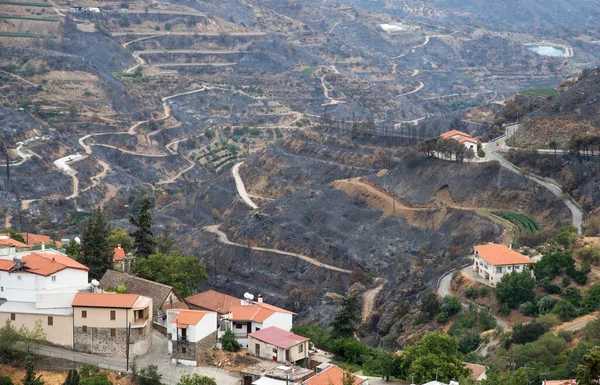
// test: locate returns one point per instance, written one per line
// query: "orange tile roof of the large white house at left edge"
(44, 264)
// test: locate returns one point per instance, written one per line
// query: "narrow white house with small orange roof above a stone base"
(191, 334)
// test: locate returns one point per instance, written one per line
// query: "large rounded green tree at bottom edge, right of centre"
(434, 353)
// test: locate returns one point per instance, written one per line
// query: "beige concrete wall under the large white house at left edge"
(60, 333)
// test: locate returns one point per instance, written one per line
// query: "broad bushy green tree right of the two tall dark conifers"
(183, 272)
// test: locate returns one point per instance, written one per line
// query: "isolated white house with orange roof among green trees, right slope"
(492, 261)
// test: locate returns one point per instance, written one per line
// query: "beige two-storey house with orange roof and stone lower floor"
(110, 323)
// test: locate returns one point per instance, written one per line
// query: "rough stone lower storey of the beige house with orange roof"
(100, 341)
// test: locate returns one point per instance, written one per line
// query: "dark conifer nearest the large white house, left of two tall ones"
(94, 245)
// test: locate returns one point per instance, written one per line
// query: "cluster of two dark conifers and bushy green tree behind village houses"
(157, 258)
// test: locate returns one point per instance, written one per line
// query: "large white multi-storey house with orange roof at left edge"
(39, 288)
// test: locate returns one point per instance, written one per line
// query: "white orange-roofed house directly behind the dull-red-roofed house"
(251, 316)
